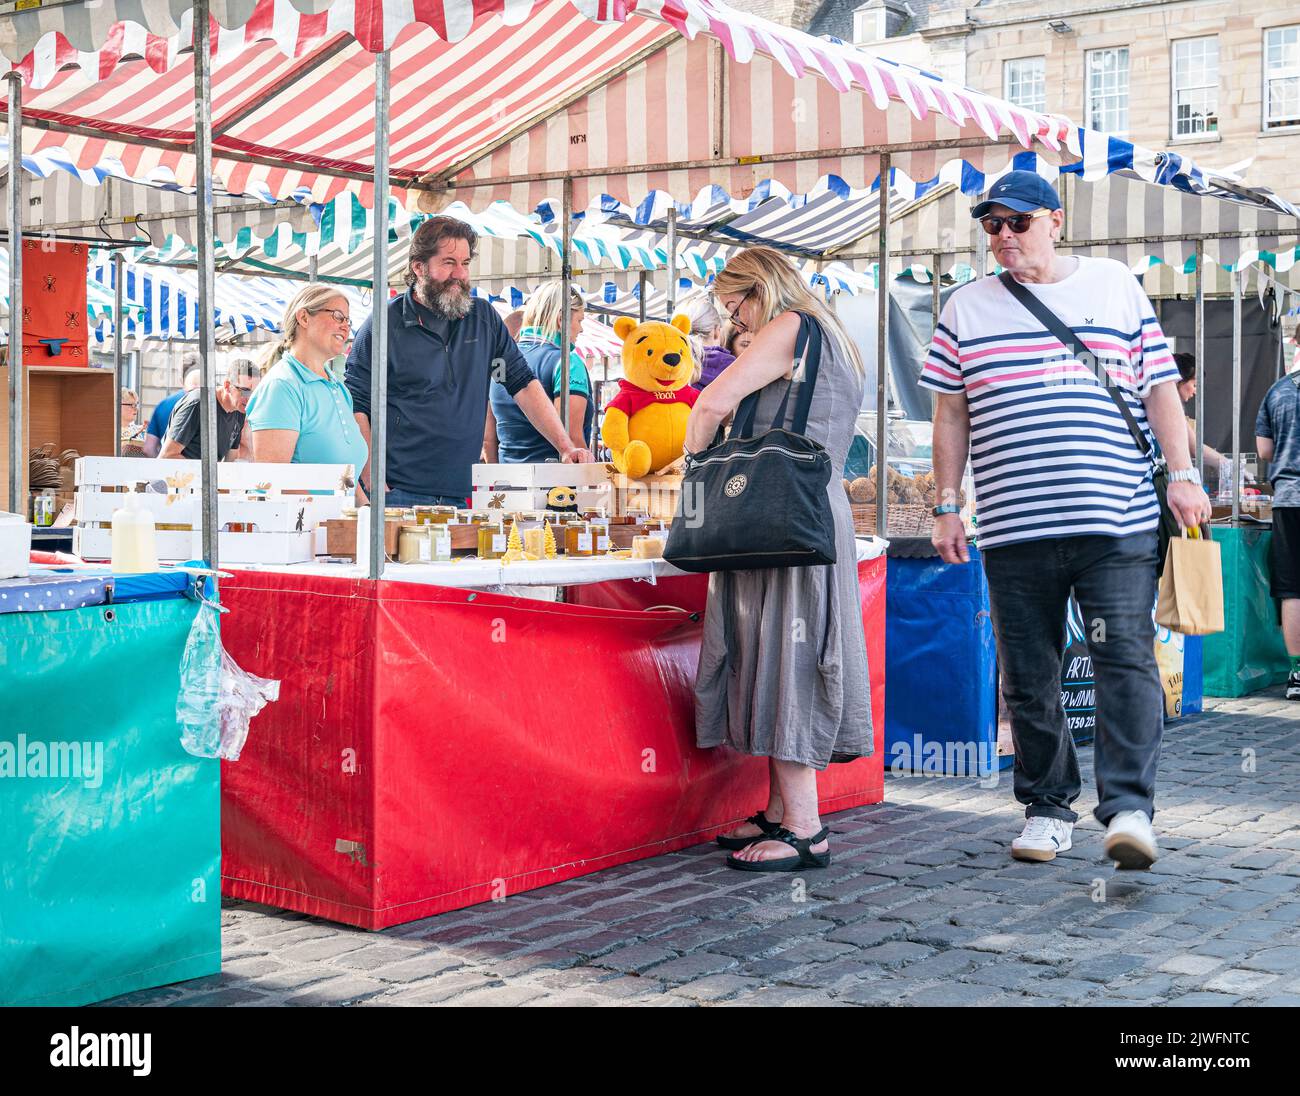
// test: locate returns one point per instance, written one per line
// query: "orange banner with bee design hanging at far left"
(54, 304)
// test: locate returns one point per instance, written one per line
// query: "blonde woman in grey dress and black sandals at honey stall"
(783, 669)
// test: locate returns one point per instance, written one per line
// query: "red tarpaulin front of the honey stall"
(435, 748)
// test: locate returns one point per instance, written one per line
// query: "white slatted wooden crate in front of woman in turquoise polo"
(287, 504)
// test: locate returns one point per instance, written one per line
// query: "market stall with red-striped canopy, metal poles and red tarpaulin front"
(599, 120)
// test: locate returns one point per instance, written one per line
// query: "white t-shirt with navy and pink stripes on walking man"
(1051, 453)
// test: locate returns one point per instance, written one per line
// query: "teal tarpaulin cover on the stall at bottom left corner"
(111, 831)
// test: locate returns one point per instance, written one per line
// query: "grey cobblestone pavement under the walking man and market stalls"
(921, 907)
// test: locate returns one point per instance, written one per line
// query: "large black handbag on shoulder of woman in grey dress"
(762, 501)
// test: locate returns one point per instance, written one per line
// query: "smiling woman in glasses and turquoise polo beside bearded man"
(302, 413)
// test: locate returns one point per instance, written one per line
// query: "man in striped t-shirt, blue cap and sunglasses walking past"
(1065, 502)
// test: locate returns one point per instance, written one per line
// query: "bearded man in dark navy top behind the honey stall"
(445, 348)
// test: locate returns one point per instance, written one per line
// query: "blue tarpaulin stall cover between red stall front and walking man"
(941, 664)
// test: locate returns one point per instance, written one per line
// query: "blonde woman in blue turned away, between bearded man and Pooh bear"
(518, 441)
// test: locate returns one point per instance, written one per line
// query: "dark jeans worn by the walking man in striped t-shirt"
(1115, 583)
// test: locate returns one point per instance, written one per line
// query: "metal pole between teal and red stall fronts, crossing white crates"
(207, 278)
